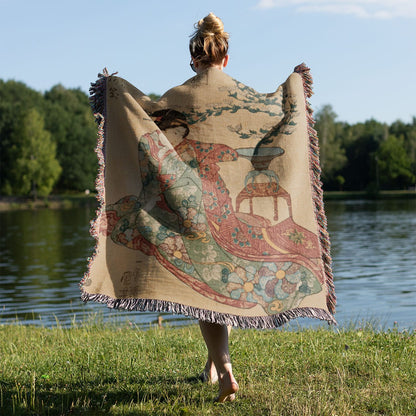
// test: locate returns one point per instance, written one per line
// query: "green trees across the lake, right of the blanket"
(367, 156)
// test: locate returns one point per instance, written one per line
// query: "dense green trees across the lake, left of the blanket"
(47, 140)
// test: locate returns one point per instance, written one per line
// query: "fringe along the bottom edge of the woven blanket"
(245, 322)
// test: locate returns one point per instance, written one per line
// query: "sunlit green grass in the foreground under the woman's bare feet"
(107, 370)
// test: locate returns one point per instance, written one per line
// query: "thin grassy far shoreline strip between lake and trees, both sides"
(67, 201)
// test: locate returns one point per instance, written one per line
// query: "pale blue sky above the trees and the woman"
(362, 53)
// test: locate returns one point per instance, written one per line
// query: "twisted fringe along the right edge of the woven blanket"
(315, 170)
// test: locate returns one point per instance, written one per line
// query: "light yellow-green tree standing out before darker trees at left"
(35, 168)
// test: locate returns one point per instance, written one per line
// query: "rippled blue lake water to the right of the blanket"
(374, 260)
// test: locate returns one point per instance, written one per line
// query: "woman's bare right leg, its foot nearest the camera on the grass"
(216, 339)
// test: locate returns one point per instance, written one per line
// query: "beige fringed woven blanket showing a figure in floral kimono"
(210, 202)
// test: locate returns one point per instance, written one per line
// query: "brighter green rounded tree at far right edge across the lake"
(394, 164)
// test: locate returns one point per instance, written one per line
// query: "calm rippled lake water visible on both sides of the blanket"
(43, 257)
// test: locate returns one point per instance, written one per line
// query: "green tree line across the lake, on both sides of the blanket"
(47, 143)
